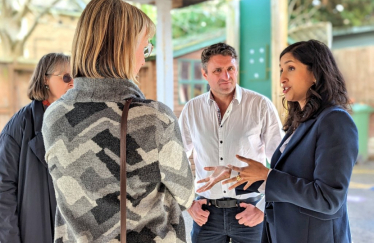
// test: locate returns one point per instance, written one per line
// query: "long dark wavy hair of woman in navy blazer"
(329, 89)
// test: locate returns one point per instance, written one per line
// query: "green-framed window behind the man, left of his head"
(191, 82)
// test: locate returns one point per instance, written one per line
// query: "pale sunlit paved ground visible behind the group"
(360, 205)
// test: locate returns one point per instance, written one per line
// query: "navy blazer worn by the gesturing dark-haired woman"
(306, 191)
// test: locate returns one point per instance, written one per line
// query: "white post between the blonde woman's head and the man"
(164, 54)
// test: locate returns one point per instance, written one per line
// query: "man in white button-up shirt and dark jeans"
(217, 125)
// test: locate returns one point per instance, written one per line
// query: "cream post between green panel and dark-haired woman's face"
(279, 33)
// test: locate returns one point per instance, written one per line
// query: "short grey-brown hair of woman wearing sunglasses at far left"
(46, 66)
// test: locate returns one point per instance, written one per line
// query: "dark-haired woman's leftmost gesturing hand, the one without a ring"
(219, 173)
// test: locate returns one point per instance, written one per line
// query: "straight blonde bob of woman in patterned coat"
(106, 38)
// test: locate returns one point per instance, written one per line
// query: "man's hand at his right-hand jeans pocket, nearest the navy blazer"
(251, 216)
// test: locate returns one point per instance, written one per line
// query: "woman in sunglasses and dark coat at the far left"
(27, 198)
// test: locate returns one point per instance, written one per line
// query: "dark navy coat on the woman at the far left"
(27, 198)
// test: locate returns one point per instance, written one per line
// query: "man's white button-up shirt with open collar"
(250, 127)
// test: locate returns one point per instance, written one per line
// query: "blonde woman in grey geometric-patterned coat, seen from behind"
(82, 138)
